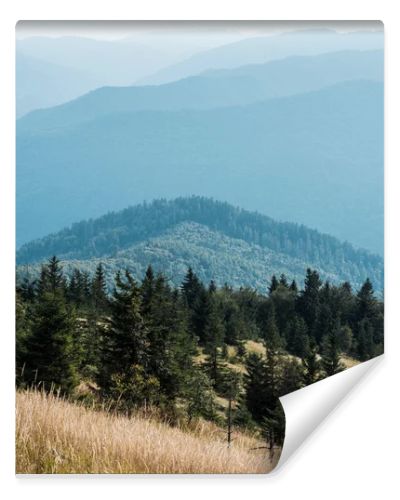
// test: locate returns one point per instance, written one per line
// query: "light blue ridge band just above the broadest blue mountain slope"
(242, 86)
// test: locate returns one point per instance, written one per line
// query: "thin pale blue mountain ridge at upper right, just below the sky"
(262, 49)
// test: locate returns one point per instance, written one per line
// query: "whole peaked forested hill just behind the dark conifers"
(229, 238)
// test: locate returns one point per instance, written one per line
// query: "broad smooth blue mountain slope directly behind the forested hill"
(313, 158)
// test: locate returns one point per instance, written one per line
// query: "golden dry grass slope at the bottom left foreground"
(56, 436)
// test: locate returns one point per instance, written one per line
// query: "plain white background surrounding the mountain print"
(355, 453)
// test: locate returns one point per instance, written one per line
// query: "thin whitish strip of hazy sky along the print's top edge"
(111, 30)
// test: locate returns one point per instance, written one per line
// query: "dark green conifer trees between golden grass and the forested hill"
(175, 349)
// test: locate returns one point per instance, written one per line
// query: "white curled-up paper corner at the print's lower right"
(307, 408)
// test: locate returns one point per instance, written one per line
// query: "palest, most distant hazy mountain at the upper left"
(54, 70)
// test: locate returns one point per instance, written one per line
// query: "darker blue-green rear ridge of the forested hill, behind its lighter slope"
(118, 230)
